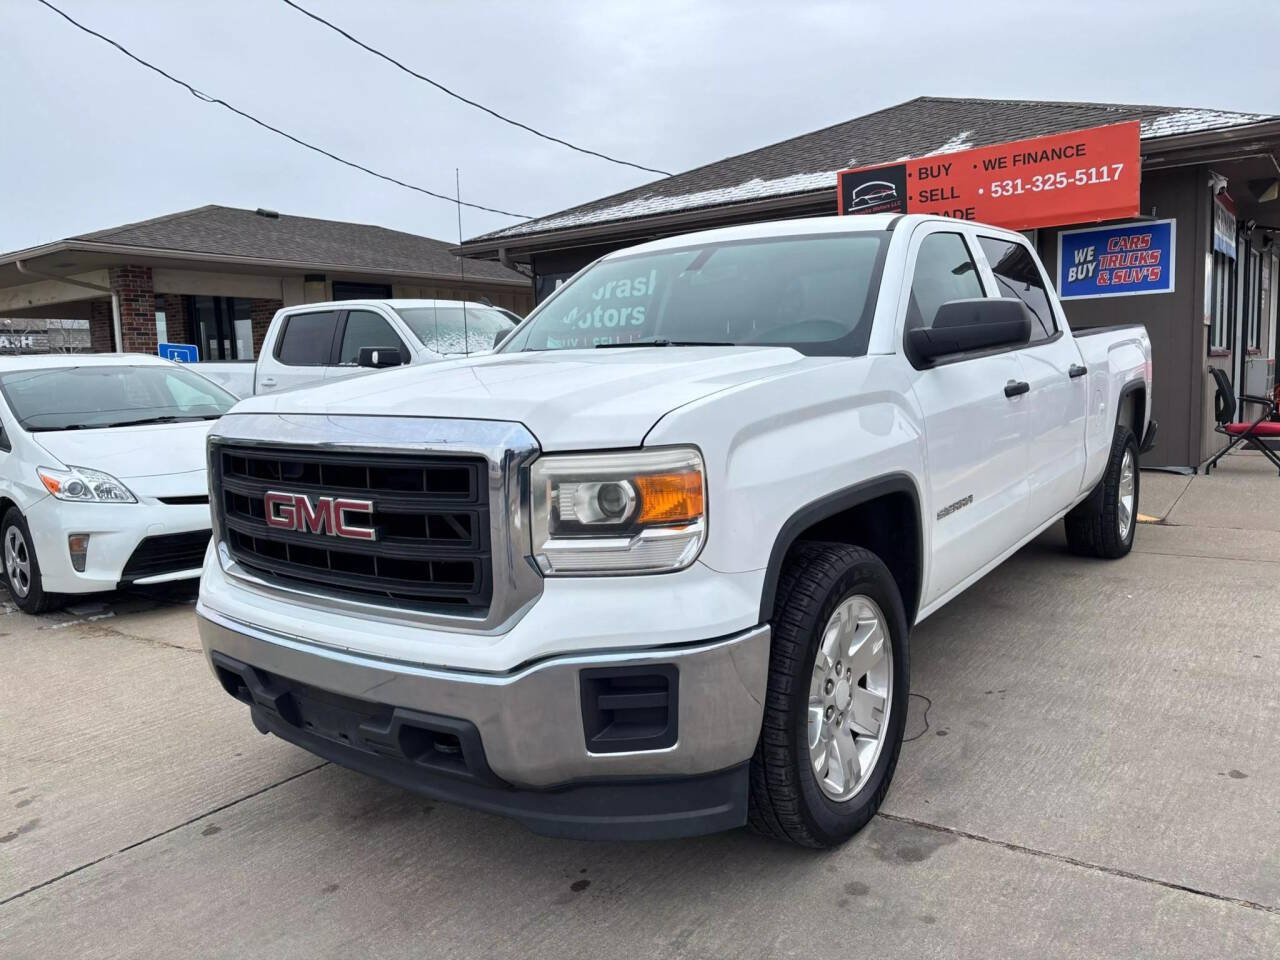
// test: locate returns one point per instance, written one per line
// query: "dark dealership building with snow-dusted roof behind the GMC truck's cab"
(1208, 217)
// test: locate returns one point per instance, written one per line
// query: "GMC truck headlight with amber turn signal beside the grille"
(641, 513)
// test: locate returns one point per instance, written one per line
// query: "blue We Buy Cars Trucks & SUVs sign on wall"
(1117, 262)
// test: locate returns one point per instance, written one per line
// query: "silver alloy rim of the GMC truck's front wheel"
(851, 697)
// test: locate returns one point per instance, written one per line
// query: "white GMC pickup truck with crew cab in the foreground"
(650, 570)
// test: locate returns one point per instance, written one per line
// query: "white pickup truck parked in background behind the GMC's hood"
(316, 342)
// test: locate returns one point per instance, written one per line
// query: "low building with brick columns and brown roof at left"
(216, 276)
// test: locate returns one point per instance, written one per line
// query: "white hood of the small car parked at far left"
(132, 452)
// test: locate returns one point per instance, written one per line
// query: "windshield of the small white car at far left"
(89, 397)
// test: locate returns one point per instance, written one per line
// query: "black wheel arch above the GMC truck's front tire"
(883, 515)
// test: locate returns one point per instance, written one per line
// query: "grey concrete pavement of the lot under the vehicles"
(1094, 772)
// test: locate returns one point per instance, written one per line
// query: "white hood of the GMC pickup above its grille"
(570, 400)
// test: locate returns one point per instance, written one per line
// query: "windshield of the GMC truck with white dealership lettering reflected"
(812, 294)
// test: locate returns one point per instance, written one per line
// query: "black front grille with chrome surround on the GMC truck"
(445, 502)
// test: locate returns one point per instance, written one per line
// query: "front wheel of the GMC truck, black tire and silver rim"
(836, 701)
